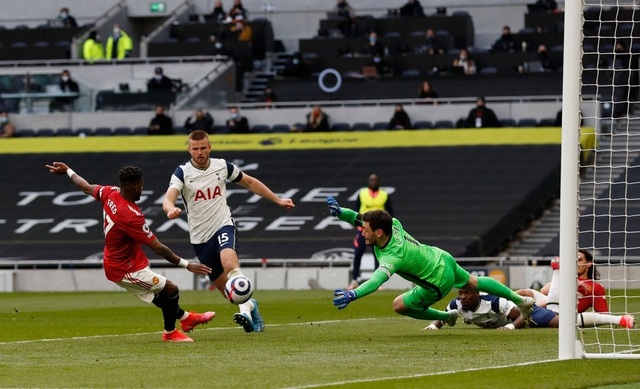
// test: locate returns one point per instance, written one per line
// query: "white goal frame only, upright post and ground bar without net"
(569, 347)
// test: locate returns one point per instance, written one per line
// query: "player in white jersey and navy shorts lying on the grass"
(487, 311)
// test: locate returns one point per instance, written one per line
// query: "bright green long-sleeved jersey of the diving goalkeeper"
(403, 255)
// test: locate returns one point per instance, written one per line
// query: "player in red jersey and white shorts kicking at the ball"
(125, 263)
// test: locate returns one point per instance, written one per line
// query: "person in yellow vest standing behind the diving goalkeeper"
(369, 198)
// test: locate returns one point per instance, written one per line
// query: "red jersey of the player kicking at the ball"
(125, 229)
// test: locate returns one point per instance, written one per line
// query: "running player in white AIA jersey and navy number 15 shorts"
(202, 184)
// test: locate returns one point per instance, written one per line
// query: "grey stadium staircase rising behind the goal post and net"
(542, 238)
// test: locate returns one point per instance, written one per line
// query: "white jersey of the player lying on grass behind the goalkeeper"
(492, 312)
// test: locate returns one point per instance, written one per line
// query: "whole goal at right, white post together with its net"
(600, 195)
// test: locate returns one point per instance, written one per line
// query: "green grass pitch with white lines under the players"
(112, 340)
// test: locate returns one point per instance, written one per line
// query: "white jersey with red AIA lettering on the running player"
(204, 194)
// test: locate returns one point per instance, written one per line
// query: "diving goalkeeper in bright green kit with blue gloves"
(433, 270)
